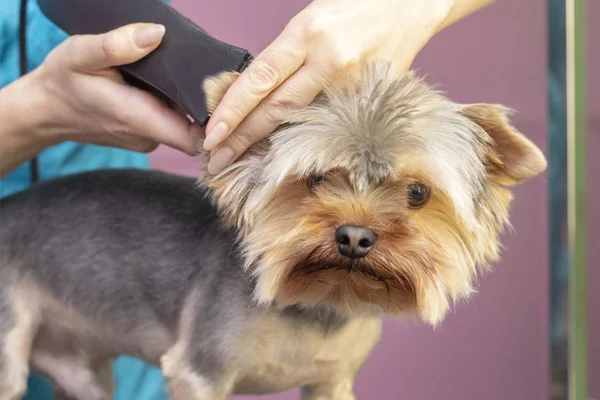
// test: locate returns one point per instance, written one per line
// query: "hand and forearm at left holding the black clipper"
(78, 95)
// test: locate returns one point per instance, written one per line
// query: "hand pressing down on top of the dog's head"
(326, 39)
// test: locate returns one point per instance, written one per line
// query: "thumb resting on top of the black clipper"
(120, 46)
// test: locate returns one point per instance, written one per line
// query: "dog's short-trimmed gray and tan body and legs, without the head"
(135, 261)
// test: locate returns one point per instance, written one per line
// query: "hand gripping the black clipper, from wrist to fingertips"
(87, 100)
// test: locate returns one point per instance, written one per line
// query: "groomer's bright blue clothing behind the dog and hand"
(134, 380)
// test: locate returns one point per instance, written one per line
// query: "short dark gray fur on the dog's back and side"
(124, 239)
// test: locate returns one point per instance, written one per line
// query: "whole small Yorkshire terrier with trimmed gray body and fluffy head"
(382, 197)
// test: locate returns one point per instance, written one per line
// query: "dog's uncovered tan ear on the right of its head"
(514, 158)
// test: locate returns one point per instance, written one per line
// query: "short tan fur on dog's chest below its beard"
(289, 356)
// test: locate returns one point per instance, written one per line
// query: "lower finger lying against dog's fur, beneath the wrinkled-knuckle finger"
(298, 91)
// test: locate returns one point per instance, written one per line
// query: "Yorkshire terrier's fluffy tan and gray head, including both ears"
(382, 196)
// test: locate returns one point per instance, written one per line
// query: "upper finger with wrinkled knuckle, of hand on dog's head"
(269, 69)
